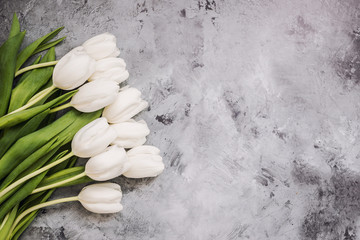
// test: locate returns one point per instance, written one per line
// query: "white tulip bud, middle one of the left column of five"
(93, 138)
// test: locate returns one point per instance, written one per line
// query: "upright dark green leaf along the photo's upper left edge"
(8, 53)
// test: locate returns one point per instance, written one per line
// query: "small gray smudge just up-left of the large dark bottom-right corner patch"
(304, 174)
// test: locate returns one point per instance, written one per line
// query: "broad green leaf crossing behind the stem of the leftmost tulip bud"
(31, 85)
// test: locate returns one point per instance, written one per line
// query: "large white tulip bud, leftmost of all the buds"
(73, 69)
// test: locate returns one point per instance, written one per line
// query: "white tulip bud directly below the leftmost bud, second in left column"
(94, 96)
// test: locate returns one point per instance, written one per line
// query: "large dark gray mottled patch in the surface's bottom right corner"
(335, 214)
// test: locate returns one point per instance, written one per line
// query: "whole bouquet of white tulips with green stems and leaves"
(39, 147)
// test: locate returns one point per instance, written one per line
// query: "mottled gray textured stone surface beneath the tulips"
(254, 104)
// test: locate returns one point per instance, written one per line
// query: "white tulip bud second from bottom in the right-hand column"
(130, 133)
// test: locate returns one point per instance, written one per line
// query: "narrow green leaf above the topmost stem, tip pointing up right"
(29, 50)
